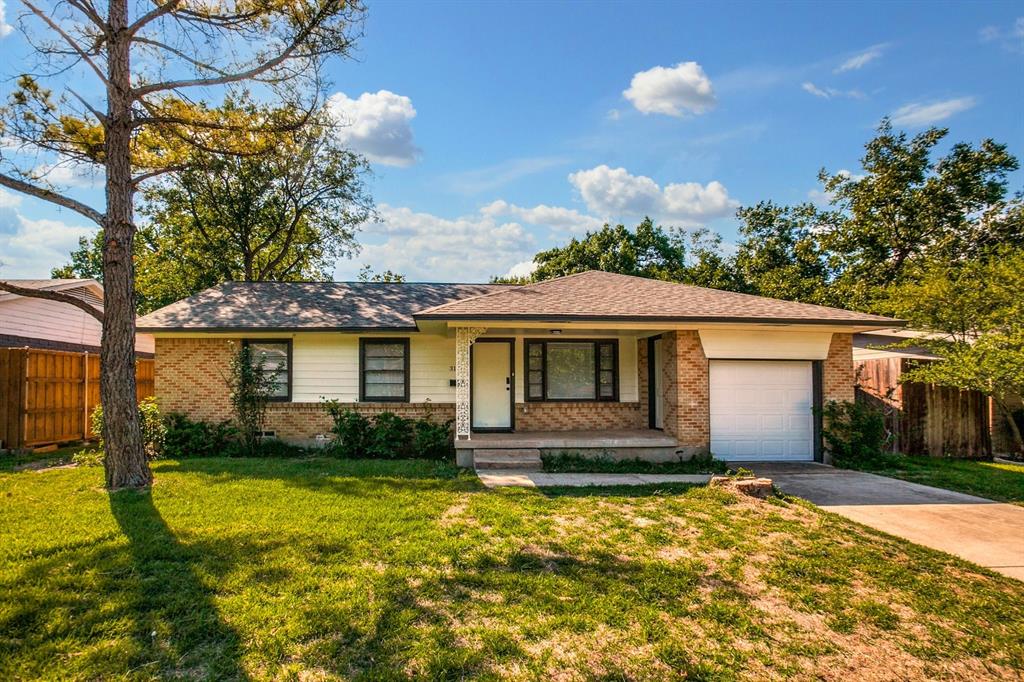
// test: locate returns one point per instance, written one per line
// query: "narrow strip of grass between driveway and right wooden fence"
(995, 481)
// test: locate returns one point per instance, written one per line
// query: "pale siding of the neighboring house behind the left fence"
(54, 321)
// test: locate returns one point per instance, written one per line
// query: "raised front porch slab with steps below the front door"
(524, 450)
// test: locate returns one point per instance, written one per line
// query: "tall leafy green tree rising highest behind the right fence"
(909, 206)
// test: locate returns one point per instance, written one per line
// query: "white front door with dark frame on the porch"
(492, 385)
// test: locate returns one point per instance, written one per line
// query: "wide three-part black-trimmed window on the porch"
(574, 370)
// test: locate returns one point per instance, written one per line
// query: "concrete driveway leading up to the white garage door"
(987, 533)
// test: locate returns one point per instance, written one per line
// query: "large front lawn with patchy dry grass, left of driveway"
(323, 570)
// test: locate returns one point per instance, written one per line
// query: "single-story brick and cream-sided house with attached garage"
(594, 362)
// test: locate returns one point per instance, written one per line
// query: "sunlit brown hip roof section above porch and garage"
(607, 296)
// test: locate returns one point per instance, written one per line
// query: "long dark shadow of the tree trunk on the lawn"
(177, 626)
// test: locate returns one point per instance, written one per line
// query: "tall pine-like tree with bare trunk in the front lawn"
(150, 61)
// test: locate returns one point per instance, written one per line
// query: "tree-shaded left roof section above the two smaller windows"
(308, 306)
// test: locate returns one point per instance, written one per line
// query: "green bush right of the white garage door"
(855, 433)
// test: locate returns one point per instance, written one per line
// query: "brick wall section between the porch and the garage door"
(688, 402)
